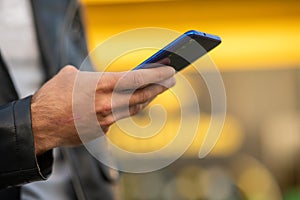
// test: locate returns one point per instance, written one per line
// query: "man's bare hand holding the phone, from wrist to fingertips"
(117, 95)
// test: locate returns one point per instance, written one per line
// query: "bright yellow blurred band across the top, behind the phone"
(255, 33)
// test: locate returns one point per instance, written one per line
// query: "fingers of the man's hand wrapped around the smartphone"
(120, 95)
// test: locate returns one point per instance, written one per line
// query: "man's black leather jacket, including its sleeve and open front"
(61, 41)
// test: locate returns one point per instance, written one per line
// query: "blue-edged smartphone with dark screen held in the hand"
(184, 50)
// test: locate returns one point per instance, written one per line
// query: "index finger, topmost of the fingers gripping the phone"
(134, 79)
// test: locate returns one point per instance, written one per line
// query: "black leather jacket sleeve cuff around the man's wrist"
(18, 163)
